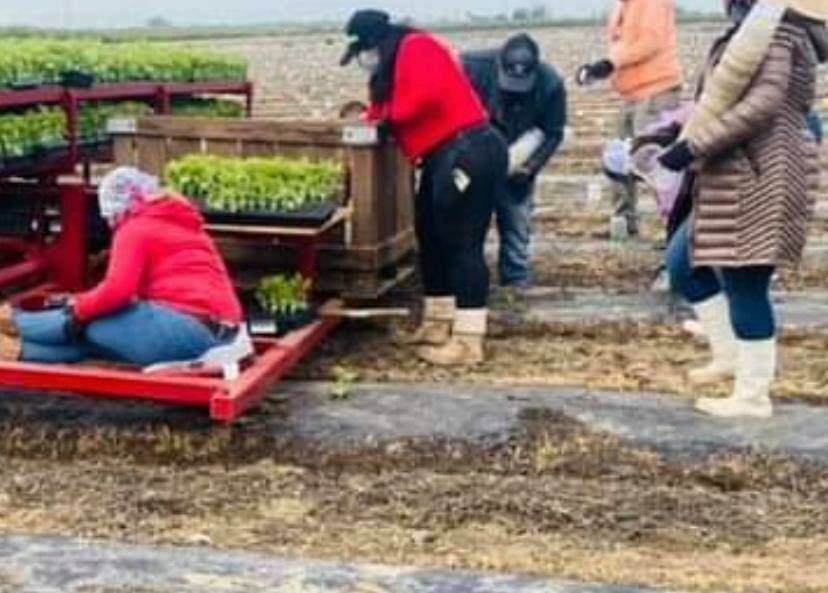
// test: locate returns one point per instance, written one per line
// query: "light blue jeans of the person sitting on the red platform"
(141, 334)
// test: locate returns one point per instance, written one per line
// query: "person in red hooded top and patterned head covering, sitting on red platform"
(166, 295)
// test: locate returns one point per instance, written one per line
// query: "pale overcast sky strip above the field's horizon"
(118, 13)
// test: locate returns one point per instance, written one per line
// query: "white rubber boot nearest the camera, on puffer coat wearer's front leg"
(755, 371)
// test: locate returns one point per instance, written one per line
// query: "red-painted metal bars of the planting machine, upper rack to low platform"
(61, 265)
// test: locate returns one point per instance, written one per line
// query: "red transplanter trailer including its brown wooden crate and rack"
(52, 247)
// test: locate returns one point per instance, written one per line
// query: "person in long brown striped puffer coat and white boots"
(756, 167)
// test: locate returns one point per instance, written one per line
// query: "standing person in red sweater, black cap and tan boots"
(420, 94)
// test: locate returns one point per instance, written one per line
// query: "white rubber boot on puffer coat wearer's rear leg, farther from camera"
(714, 317)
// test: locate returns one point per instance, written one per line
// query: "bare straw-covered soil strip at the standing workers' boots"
(613, 356)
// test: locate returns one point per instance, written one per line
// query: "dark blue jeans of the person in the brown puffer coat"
(747, 289)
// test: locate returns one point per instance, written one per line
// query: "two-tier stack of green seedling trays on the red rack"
(56, 96)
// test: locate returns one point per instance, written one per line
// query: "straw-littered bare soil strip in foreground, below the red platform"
(557, 500)
